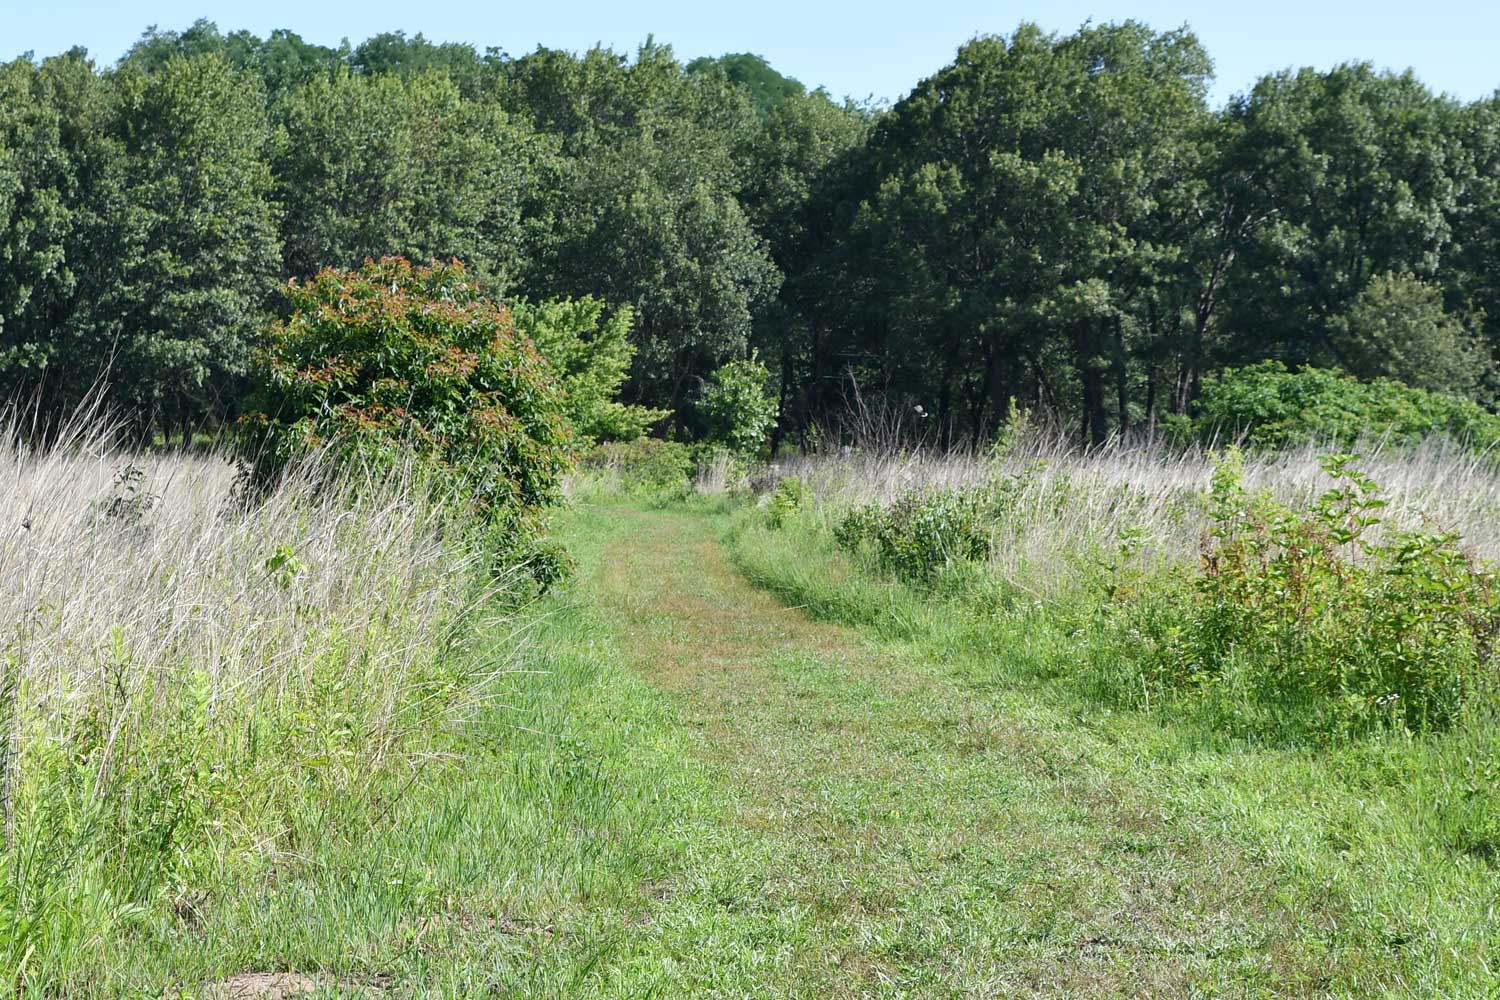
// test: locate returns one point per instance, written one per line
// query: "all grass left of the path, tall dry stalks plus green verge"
(302, 746)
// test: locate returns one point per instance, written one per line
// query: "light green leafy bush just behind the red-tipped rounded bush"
(592, 356)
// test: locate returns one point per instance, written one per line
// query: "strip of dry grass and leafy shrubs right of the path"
(1283, 596)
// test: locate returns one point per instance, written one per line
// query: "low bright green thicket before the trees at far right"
(1271, 407)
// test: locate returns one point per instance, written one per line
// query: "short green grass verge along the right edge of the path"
(1381, 852)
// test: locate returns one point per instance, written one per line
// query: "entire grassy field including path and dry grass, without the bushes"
(299, 749)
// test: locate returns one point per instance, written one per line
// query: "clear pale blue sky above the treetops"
(875, 49)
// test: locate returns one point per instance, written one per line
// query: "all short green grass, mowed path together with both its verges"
(739, 765)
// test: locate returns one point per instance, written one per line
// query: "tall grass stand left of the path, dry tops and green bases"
(182, 674)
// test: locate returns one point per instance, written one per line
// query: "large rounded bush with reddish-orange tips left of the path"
(394, 361)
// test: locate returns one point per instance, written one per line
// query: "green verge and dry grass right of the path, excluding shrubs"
(1385, 843)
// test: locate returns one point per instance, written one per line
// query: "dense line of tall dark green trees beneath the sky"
(1057, 220)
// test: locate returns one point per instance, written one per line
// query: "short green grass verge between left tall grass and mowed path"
(508, 866)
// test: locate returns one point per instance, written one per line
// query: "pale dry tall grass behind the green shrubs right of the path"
(1073, 504)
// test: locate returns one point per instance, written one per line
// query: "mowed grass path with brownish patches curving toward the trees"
(878, 821)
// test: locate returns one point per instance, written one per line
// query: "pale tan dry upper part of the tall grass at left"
(109, 582)
